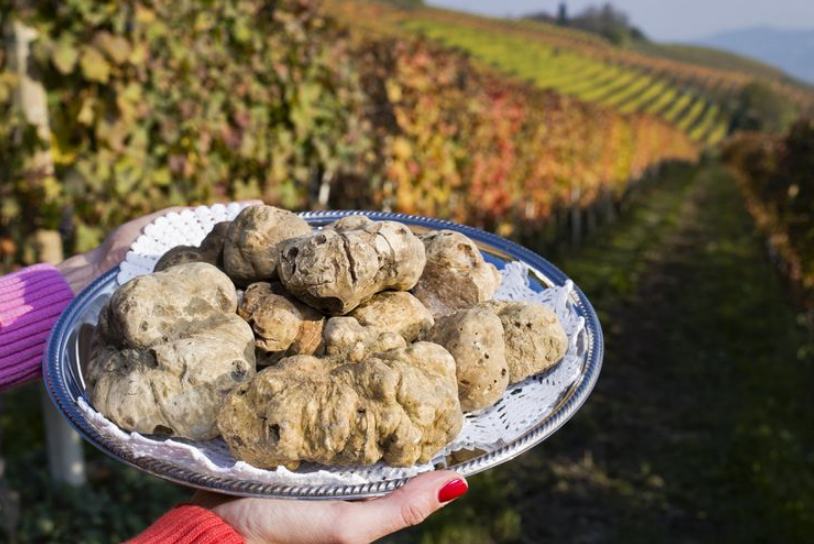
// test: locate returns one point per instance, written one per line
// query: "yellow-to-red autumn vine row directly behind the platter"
(300, 110)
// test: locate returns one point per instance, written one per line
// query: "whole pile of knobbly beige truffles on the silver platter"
(357, 343)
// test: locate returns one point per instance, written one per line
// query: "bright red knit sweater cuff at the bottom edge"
(188, 524)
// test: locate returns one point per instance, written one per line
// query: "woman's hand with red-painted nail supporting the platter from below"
(272, 521)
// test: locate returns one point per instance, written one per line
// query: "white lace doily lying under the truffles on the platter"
(523, 406)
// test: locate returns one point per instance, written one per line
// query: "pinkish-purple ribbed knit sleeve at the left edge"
(30, 302)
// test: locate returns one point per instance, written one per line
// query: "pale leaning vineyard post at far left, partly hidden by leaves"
(65, 457)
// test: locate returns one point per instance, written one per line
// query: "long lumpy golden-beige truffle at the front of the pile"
(400, 406)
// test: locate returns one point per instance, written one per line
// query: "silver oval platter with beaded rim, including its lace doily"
(528, 413)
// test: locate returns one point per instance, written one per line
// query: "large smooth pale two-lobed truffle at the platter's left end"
(170, 349)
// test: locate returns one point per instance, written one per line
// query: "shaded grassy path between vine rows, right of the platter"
(700, 428)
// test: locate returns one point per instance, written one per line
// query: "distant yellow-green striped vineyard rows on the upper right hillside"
(697, 99)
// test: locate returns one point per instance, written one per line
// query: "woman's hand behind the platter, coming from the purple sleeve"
(82, 269)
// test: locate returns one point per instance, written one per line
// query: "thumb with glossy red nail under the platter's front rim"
(407, 506)
